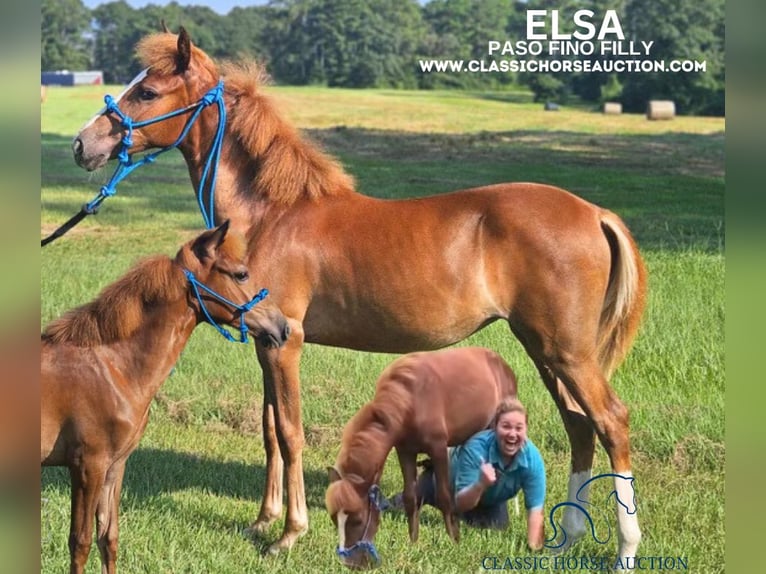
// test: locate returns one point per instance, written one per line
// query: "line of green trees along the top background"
(377, 43)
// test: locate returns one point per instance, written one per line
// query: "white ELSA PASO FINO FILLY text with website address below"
(605, 51)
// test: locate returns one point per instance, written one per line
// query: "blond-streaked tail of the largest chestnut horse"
(625, 295)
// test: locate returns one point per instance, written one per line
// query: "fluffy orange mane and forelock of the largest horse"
(286, 166)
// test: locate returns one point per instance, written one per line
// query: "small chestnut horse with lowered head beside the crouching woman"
(424, 402)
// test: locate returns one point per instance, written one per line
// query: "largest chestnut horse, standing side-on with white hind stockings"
(393, 276)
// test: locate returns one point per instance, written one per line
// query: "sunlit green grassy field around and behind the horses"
(195, 483)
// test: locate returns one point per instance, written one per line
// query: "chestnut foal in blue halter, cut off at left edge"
(101, 364)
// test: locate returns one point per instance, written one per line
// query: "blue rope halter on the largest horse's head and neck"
(127, 165)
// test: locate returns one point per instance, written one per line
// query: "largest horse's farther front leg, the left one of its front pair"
(271, 506)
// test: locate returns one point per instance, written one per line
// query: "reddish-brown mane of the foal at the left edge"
(119, 309)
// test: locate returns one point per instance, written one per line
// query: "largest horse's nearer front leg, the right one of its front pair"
(281, 377)
